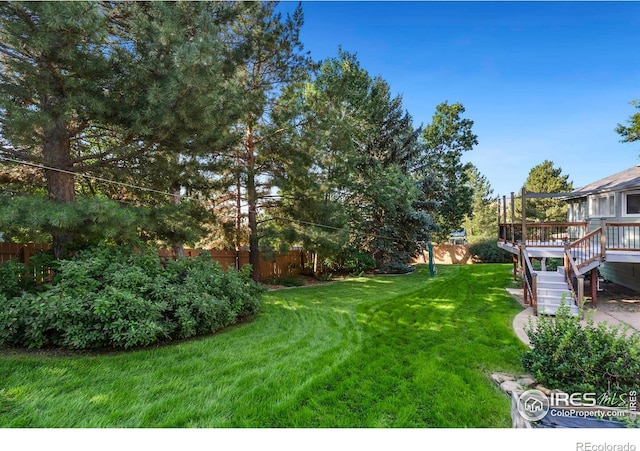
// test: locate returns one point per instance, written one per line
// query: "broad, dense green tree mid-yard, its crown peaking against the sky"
(363, 143)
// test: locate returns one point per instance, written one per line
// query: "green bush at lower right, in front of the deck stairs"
(575, 358)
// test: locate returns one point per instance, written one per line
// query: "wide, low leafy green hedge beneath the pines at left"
(122, 298)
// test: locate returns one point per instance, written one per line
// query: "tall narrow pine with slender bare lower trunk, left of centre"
(272, 59)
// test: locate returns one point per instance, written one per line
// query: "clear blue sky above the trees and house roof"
(540, 80)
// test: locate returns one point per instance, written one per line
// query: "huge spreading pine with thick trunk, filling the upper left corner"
(91, 86)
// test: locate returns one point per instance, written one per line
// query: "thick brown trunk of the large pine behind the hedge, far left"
(56, 153)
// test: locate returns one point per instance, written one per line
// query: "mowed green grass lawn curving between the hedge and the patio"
(403, 351)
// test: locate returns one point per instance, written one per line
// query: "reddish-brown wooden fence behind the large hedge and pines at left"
(271, 264)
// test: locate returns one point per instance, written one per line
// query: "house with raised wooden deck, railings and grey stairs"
(602, 233)
